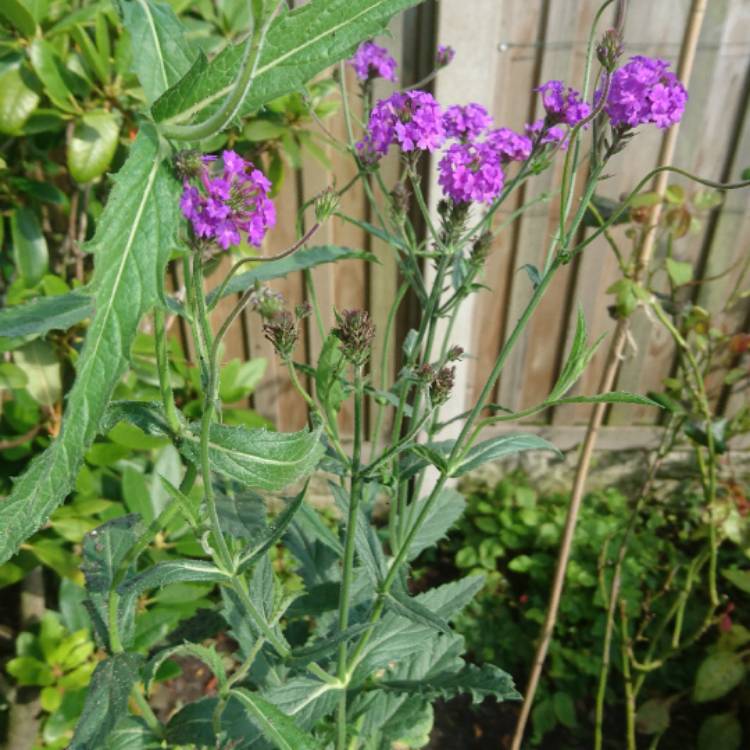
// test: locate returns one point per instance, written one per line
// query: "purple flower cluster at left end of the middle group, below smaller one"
(411, 119)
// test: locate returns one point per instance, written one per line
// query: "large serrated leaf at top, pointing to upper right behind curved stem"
(299, 45)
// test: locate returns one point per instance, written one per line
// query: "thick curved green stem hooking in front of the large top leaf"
(230, 107)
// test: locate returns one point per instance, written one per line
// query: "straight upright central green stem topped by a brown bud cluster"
(348, 563)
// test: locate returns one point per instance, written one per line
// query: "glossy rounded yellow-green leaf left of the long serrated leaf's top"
(93, 145)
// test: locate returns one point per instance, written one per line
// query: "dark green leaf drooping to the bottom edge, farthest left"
(106, 700)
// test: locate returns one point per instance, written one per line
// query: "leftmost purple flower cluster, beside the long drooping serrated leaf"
(236, 201)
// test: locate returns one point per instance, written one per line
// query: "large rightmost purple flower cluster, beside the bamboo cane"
(645, 91)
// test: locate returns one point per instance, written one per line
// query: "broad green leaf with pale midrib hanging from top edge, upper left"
(163, 53)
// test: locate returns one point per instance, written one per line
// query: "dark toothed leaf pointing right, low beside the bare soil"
(487, 681)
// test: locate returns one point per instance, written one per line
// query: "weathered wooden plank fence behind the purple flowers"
(504, 49)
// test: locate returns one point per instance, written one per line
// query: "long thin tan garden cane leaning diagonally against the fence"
(614, 356)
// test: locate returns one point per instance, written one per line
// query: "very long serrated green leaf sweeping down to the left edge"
(134, 238)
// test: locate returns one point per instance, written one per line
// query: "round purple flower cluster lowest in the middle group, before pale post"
(471, 172)
